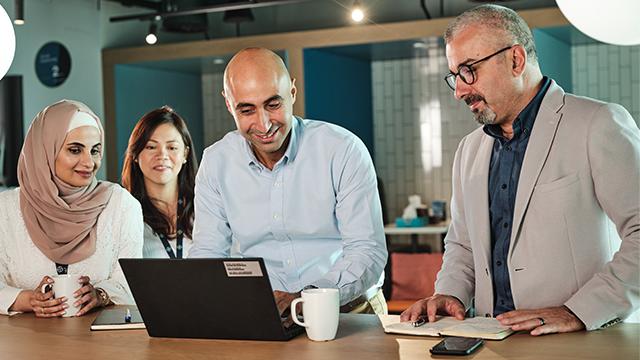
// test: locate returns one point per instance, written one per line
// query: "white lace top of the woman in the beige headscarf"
(23, 265)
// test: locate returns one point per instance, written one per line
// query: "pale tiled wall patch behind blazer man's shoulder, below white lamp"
(608, 73)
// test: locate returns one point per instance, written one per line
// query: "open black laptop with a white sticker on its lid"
(229, 298)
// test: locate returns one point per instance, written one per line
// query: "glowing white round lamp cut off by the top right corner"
(613, 22)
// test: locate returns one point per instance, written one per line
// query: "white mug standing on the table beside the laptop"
(321, 311)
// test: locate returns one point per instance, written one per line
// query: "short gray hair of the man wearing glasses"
(498, 17)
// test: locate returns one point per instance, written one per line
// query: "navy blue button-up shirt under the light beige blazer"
(504, 172)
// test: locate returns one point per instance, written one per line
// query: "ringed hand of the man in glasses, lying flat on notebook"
(542, 321)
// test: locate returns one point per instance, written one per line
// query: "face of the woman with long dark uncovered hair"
(163, 156)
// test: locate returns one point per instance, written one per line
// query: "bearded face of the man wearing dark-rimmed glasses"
(491, 97)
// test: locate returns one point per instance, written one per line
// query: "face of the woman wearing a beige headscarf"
(80, 156)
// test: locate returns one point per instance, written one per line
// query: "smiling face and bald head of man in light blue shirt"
(259, 95)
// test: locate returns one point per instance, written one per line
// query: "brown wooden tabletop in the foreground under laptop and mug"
(25, 337)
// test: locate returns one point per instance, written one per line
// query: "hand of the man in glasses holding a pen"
(436, 304)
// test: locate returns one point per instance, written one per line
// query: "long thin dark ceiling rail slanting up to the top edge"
(206, 9)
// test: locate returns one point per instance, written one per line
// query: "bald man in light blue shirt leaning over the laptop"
(302, 194)
